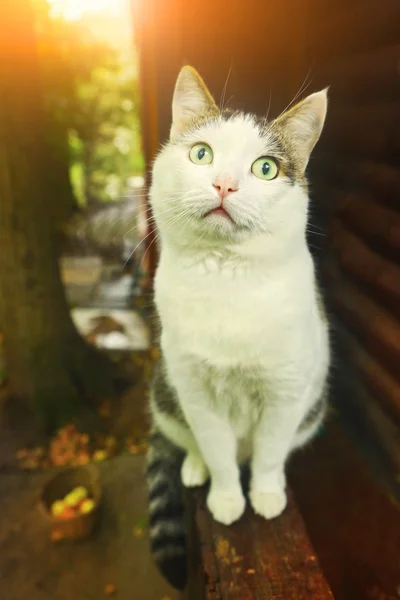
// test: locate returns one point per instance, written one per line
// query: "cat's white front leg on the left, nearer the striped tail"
(215, 439)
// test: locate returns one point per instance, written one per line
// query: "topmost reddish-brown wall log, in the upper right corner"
(357, 28)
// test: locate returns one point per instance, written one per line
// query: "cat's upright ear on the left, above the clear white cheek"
(191, 100)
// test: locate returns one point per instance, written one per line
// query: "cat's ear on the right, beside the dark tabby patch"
(302, 124)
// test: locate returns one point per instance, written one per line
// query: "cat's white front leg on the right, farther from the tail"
(273, 441)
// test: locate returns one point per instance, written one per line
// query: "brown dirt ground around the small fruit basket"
(32, 567)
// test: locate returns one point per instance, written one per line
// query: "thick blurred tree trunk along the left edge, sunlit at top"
(50, 367)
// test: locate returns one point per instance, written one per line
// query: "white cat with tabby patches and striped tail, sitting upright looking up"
(244, 341)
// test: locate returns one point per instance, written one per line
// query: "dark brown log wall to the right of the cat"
(356, 181)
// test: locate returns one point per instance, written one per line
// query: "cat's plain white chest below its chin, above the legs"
(225, 313)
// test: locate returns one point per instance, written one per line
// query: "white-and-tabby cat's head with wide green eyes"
(225, 177)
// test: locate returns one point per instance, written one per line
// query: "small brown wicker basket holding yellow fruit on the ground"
(81, 525)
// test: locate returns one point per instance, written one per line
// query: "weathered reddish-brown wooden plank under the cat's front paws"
(256, 559)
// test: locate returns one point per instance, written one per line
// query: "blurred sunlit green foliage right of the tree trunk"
(92, 96)
